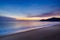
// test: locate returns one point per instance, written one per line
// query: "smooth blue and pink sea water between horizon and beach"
(13, 27)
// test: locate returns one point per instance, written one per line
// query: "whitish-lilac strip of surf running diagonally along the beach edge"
(32, 28)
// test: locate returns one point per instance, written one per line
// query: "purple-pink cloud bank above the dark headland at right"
(55, 13)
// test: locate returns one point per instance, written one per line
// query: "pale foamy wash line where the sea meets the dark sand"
(33, 28)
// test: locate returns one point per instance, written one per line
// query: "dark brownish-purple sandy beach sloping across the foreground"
(47, 33)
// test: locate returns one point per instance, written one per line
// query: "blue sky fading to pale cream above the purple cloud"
(25, 8)
